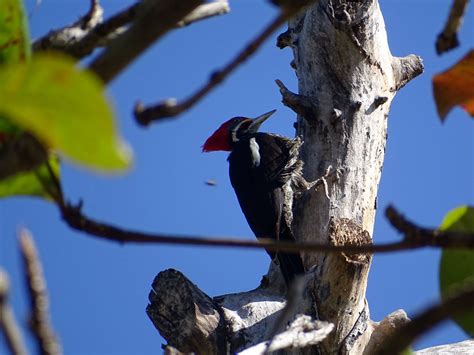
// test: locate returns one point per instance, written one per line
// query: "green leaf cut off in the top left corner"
(14, 38)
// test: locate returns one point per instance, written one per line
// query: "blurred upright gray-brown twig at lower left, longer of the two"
(40, 324)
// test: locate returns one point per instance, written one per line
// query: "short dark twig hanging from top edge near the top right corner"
(448, 39)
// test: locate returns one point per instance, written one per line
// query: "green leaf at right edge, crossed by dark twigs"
(457, 266)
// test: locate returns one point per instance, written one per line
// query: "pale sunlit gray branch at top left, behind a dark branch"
(79, 41)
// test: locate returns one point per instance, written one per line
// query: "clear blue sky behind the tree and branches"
(99, 289)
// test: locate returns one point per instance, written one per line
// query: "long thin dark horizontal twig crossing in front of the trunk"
(416, 237)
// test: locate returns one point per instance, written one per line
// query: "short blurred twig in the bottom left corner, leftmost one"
(8, 323)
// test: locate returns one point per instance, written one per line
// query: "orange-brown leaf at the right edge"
(455, 86)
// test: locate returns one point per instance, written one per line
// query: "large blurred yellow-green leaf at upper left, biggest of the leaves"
(65, 108)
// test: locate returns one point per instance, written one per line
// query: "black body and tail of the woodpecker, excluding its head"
(259, 166)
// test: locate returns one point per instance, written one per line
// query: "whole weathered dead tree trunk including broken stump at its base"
(347, 80)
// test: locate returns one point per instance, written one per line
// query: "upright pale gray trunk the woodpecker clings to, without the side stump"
(345, 69)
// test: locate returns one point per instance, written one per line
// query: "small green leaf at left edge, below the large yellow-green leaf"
(32, 183)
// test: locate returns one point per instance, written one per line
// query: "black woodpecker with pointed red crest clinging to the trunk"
(261, 167)
